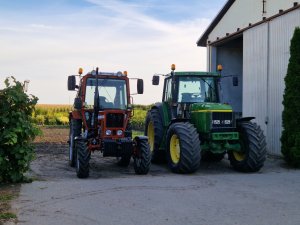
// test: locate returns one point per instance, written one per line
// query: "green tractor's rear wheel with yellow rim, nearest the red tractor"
(154, 131)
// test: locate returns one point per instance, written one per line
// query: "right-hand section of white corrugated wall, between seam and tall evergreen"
(281, 32)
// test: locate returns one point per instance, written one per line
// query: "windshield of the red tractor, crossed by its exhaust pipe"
(112, 93)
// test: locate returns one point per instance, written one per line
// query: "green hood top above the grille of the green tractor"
(210, 107)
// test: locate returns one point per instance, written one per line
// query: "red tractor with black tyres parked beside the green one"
(101, 121)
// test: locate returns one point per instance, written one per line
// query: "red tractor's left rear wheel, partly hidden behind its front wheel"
(75, 130)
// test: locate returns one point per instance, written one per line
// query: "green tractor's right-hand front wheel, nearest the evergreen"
(253, 148)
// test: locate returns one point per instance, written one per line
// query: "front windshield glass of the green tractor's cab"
(197, 89)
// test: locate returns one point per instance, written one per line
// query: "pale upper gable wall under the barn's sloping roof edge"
(243, 12)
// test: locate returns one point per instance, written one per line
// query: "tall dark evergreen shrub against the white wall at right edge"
(290, 138)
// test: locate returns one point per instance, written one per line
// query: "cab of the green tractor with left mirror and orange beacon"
(184, 90)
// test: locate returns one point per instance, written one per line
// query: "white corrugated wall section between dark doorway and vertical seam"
(255, 70)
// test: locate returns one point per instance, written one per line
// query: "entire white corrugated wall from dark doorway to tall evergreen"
(265, 60)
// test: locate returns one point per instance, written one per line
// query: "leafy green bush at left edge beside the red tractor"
(16, 131)
